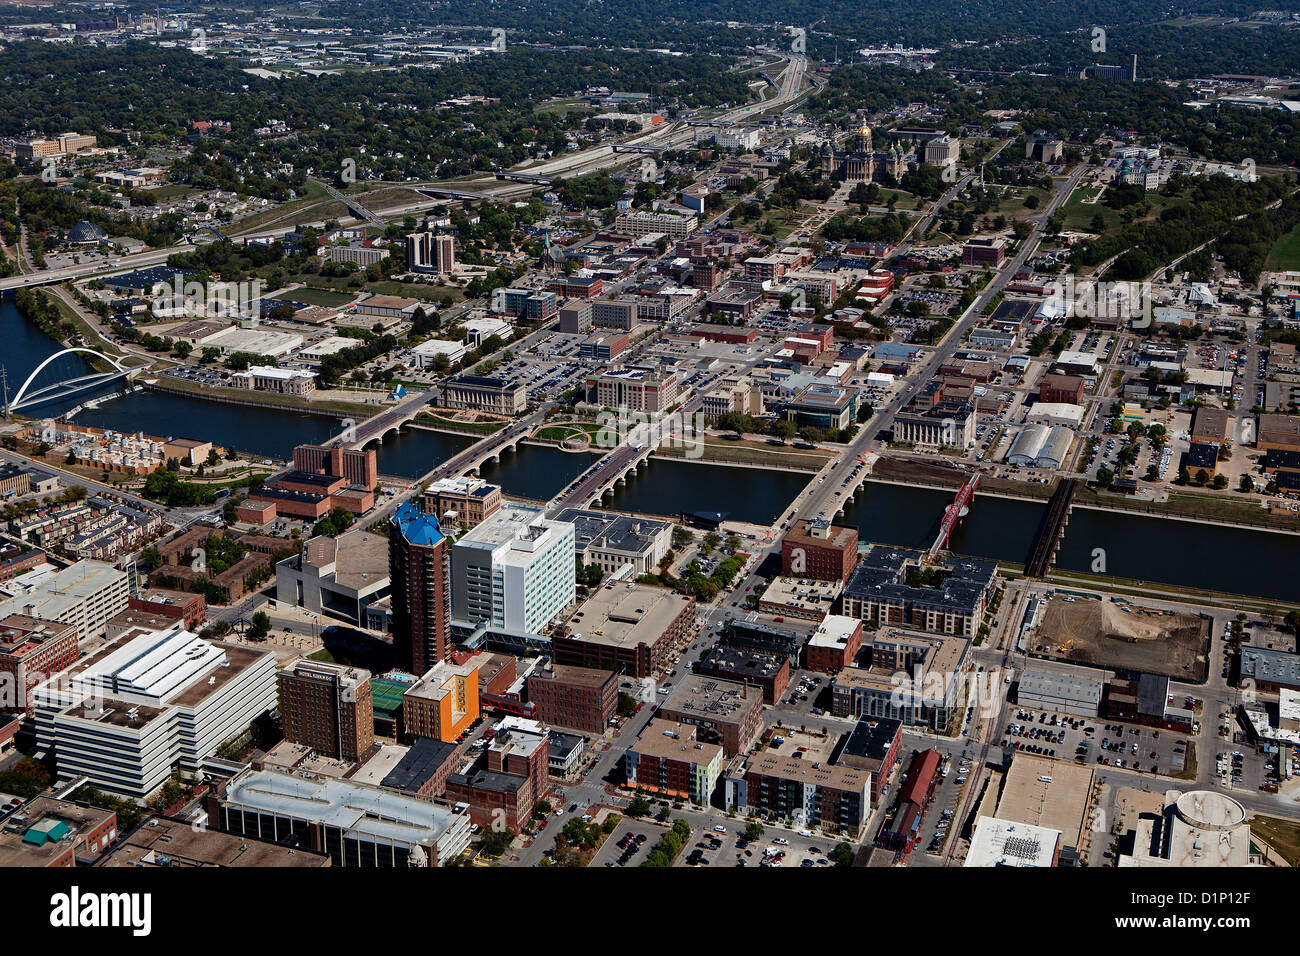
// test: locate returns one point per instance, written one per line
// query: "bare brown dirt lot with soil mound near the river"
(1103, 634)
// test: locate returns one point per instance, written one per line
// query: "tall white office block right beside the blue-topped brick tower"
(514, 570)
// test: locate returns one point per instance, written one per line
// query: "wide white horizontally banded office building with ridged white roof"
(148, 703)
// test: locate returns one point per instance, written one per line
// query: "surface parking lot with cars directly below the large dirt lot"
(1098, 742)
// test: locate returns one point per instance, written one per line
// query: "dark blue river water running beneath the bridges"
(1134, 547)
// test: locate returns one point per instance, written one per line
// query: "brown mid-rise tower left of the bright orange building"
(328, 708)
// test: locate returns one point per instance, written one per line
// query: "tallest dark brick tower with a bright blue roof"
(422, 590)
